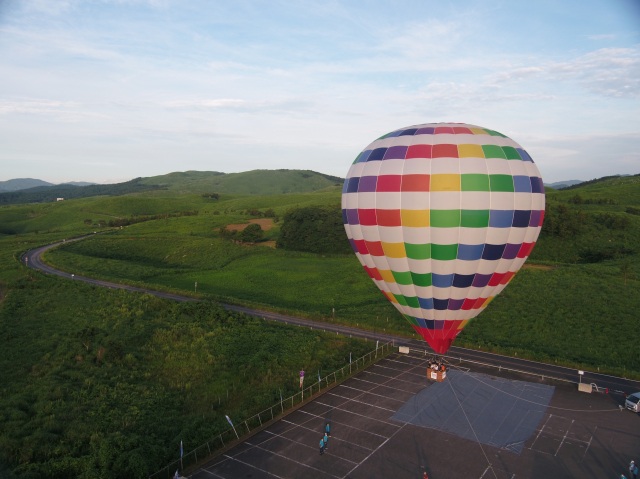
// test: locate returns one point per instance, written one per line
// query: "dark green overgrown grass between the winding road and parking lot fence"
(102, 383)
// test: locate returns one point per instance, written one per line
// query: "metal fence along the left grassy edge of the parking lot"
(244, 428)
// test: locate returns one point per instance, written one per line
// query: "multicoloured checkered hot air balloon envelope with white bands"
(442, 216)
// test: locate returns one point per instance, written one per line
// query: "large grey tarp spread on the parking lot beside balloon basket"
(486, 409)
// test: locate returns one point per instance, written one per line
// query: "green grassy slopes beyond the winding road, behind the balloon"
(589, 263)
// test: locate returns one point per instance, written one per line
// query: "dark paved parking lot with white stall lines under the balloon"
(390, 421)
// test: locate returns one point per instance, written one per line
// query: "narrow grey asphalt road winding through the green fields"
(601, 382)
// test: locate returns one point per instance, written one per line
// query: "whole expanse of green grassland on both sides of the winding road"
(102, 383)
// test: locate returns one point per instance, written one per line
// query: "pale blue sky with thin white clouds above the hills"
(110, 90)
